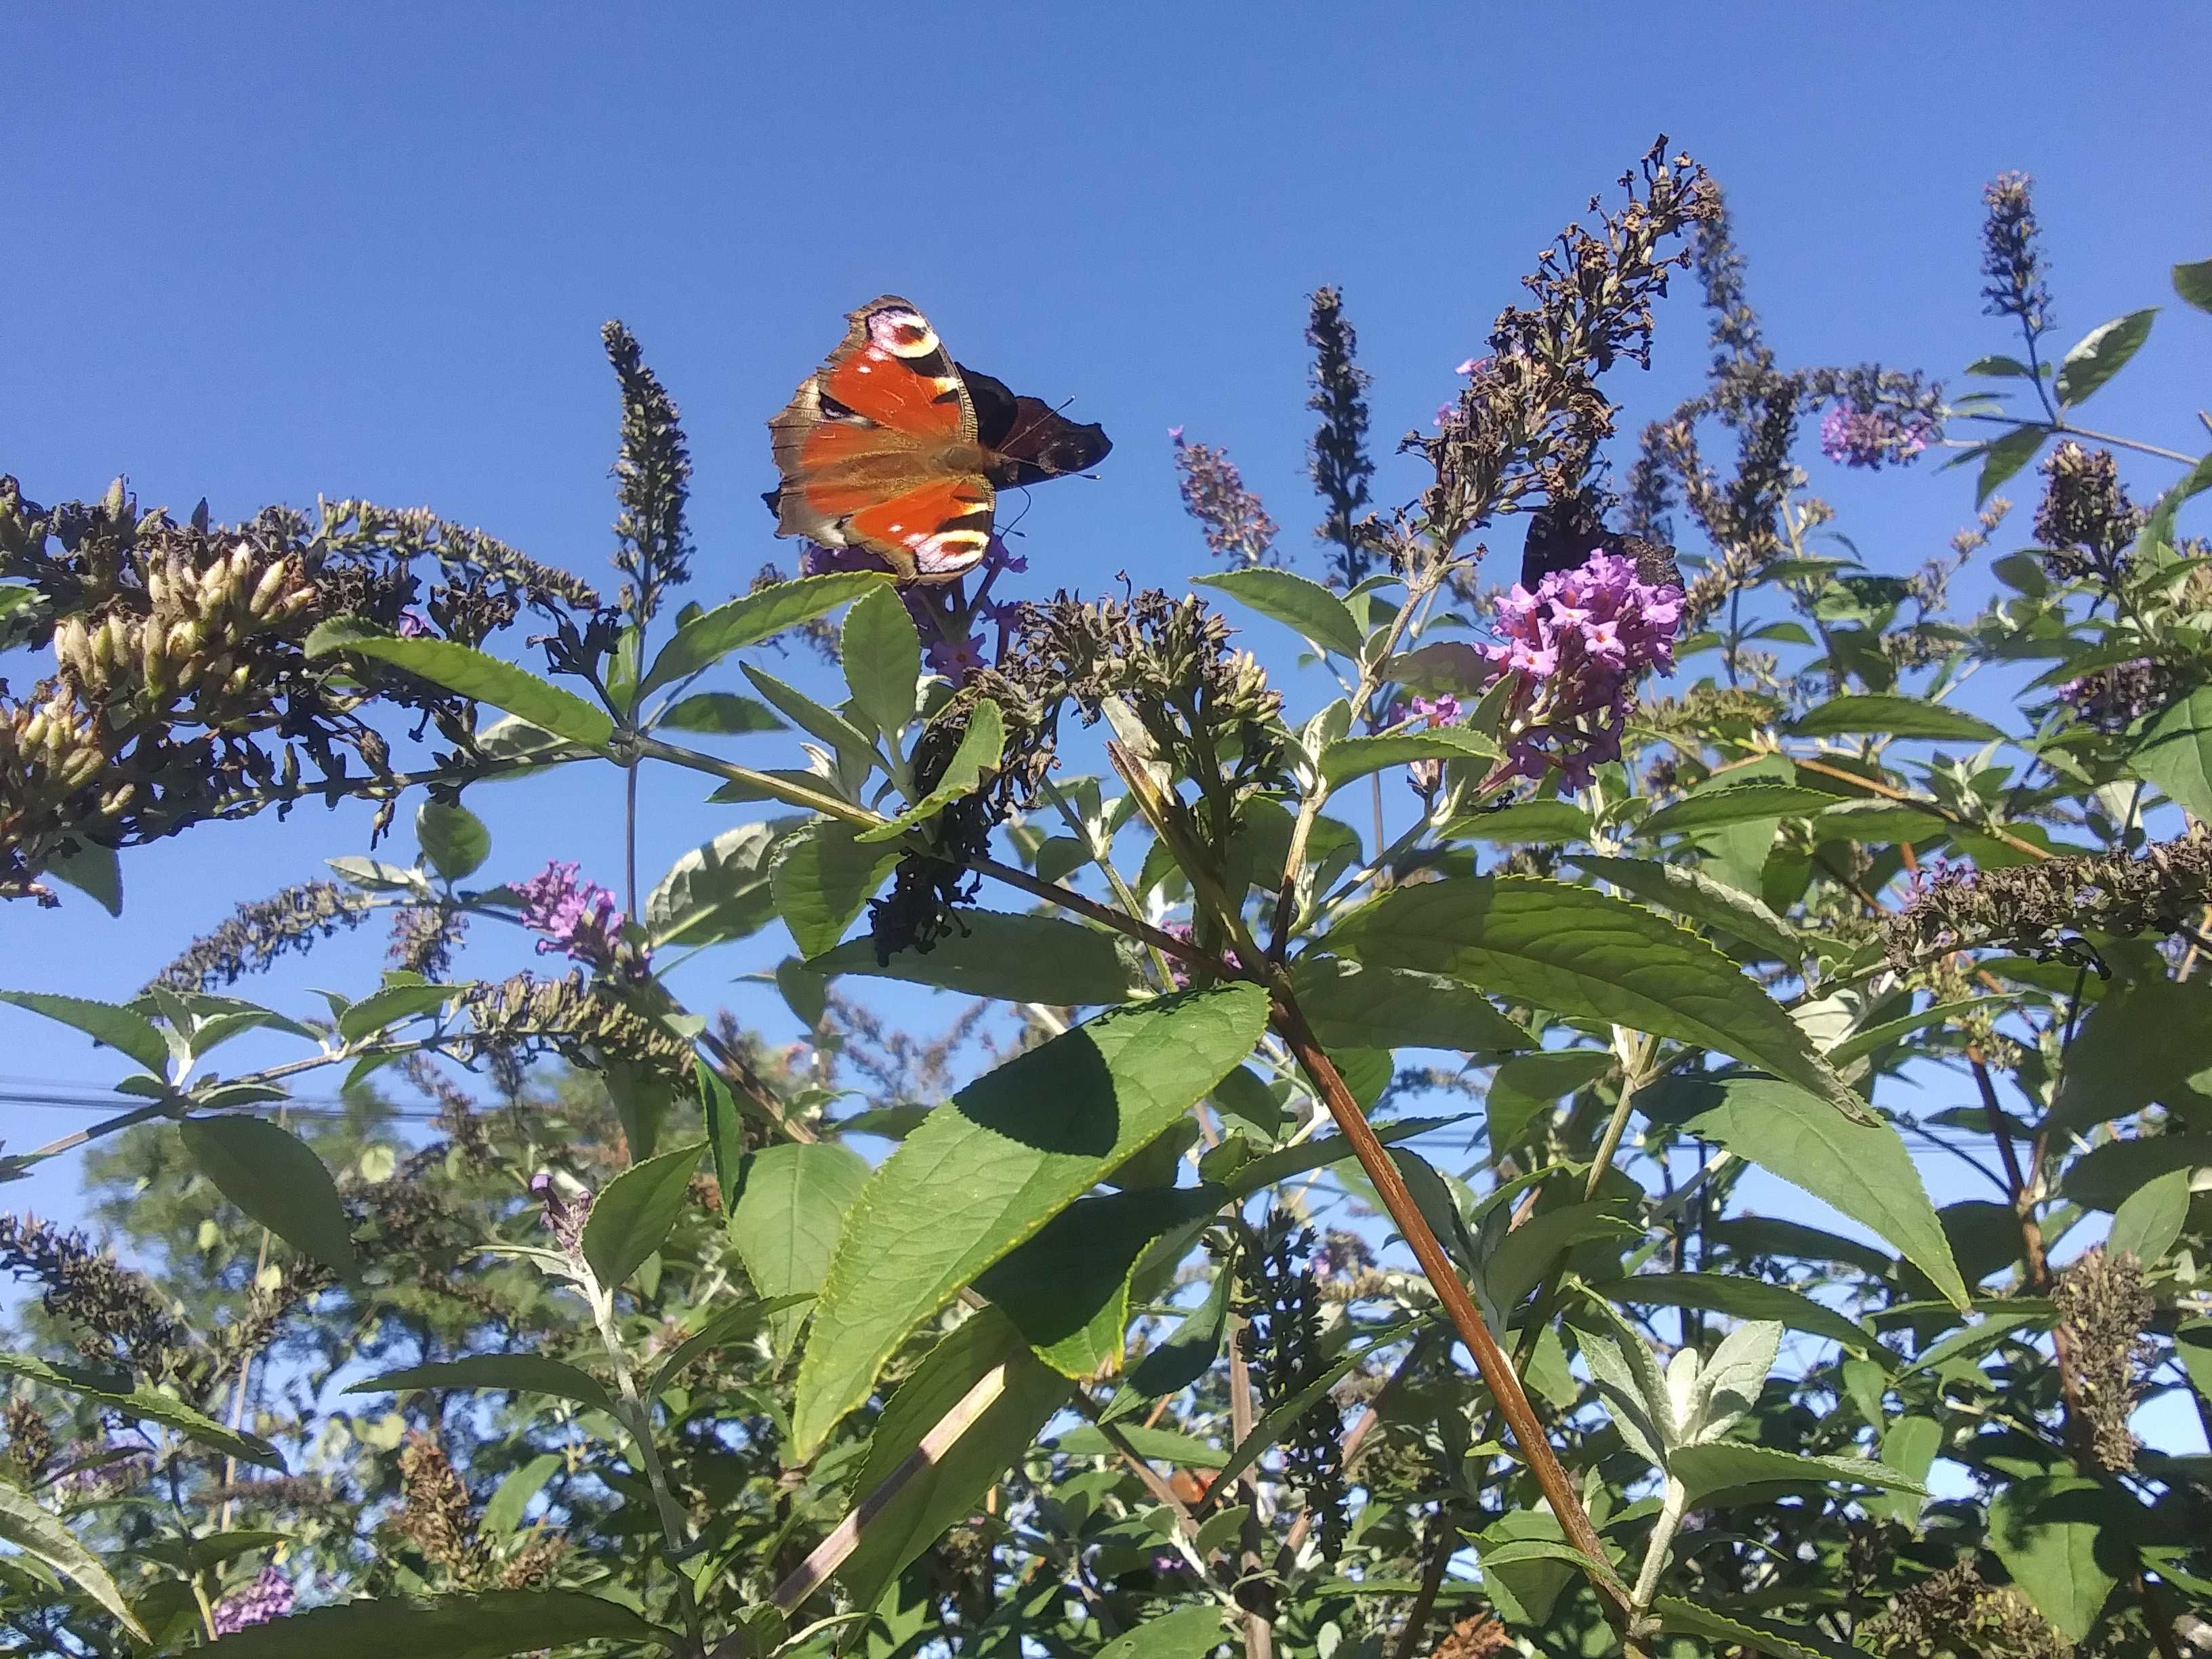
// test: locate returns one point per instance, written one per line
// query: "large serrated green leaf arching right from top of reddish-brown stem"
(1594, 957)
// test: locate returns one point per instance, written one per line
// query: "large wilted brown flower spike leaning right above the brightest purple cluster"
(1532, 417)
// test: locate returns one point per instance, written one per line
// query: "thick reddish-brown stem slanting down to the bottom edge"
(1492, 1361)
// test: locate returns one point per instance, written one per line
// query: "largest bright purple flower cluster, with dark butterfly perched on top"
(1580, 643)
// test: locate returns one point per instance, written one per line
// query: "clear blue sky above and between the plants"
(267, 251)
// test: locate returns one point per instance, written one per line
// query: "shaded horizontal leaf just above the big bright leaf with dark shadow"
(999, 954)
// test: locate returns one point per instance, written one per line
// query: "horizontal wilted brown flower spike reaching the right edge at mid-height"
(2032, 908)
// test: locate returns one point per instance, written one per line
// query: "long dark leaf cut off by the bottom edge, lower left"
(497, 1625)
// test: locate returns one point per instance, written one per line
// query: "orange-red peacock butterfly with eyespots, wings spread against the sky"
(897, 450)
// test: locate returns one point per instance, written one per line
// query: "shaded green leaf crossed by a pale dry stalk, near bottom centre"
(948, 1488)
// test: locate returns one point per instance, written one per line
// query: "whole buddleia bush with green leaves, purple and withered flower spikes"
(1454, 1067)
